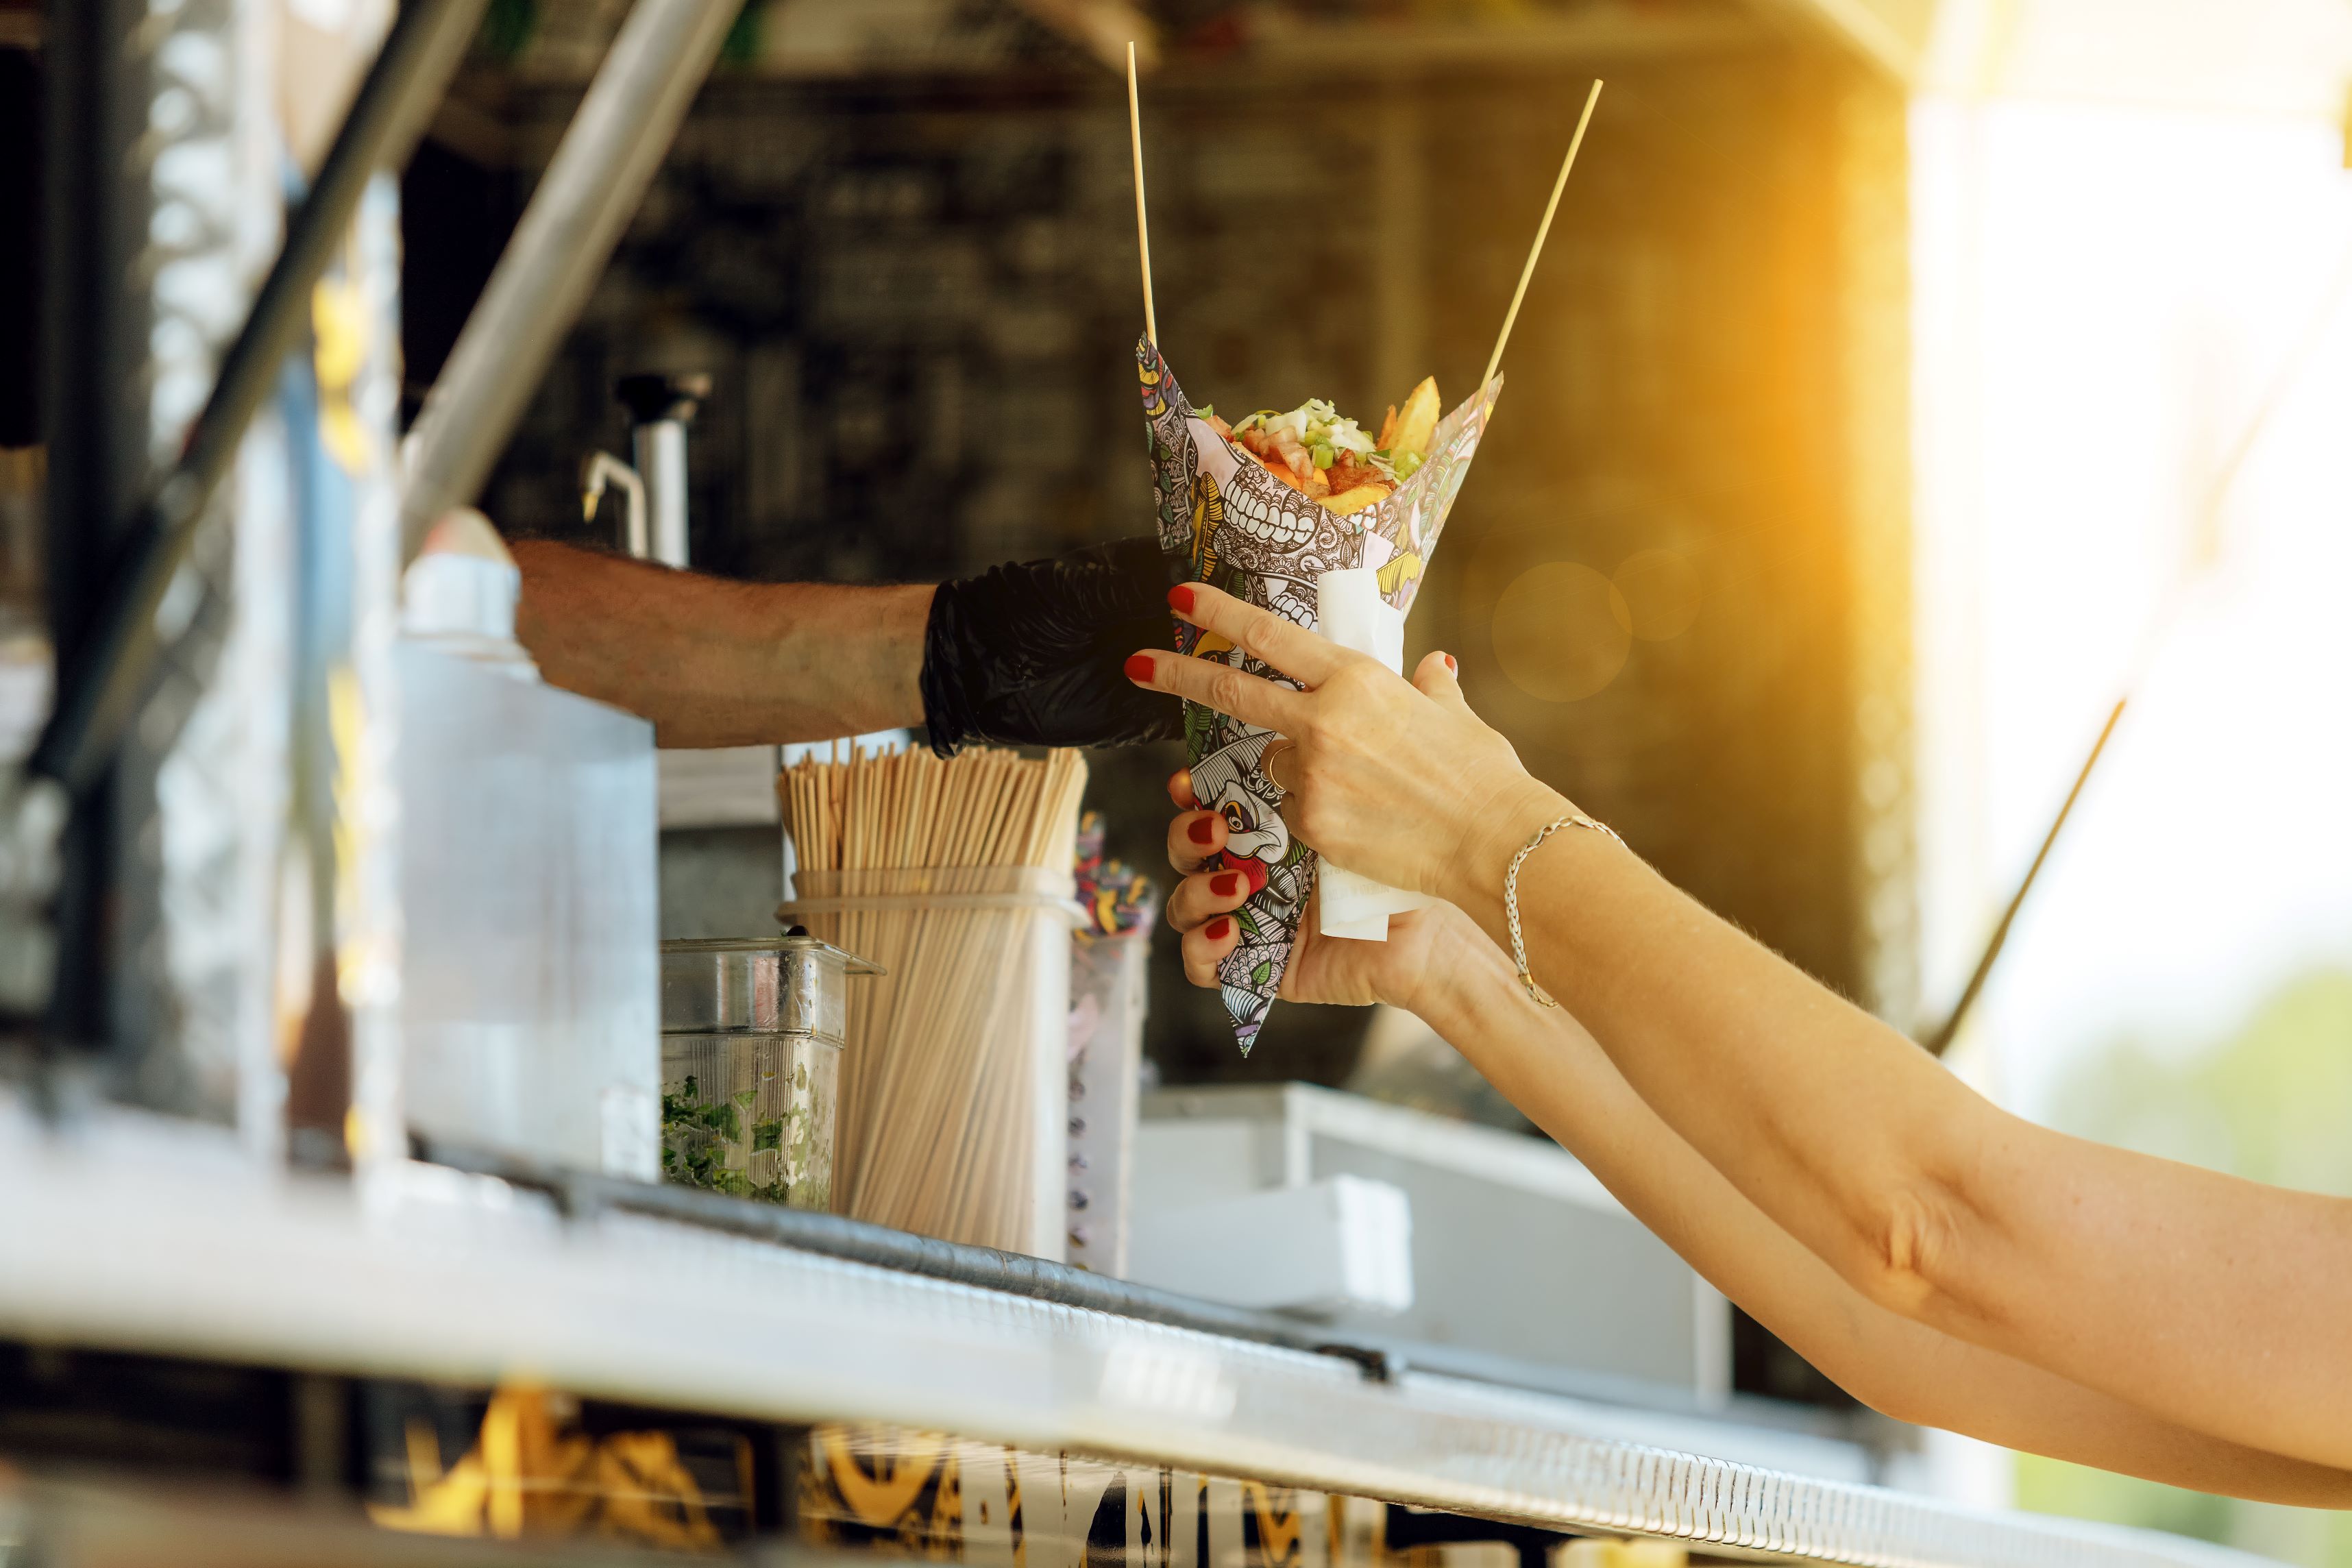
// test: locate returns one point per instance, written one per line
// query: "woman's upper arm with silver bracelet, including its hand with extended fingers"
(2200, 1299)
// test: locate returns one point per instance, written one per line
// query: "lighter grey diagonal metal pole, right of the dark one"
(584, 201)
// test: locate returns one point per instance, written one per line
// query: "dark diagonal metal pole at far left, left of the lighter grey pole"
(116, 659)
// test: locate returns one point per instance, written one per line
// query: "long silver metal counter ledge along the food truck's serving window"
(149, 1235)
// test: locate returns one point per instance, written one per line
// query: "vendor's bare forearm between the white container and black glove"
(723, 664)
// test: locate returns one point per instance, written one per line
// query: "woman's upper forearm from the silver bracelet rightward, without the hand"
(2207, 1301)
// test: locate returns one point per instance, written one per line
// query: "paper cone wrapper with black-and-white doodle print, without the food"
(1248, 532)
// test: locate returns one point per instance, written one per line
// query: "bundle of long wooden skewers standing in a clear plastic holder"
(956, 878)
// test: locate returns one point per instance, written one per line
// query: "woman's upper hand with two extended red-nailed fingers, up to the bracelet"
(1396, 782)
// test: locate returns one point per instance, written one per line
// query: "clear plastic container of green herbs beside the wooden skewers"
(751, 1064)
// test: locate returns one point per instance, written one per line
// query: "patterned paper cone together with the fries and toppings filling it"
(1262, 509)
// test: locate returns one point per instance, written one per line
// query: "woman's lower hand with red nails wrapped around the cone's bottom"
(1398, 972)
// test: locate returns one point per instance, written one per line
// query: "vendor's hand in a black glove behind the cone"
(1031, 655)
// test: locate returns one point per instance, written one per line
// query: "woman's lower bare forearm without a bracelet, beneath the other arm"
(1558, 1076)
